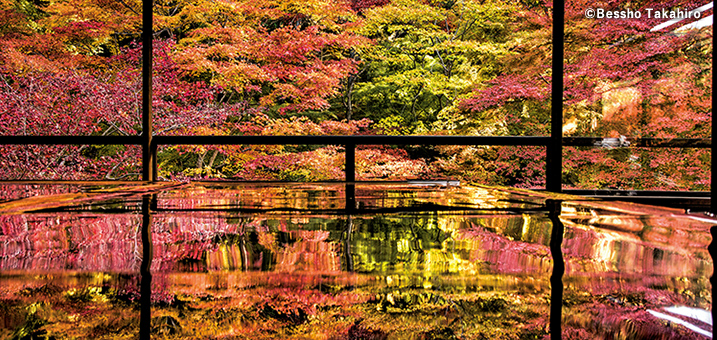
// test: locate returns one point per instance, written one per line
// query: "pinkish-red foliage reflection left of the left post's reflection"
(85, 243)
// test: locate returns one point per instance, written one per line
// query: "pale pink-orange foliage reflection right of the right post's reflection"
(620, 238)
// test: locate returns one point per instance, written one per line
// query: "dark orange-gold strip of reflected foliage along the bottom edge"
(361, 312)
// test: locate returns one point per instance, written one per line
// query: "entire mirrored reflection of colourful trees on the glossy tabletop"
(280, 273)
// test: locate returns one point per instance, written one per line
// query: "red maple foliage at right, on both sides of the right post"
(621, 79)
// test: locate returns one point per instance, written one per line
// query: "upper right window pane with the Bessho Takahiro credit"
(643, 75)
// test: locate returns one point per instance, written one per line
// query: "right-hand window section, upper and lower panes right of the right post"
(637, 70)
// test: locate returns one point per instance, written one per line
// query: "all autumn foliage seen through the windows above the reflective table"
(398, 67)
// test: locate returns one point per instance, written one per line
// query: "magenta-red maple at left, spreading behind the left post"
(76, 103)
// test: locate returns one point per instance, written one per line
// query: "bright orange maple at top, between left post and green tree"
(289, 55)
